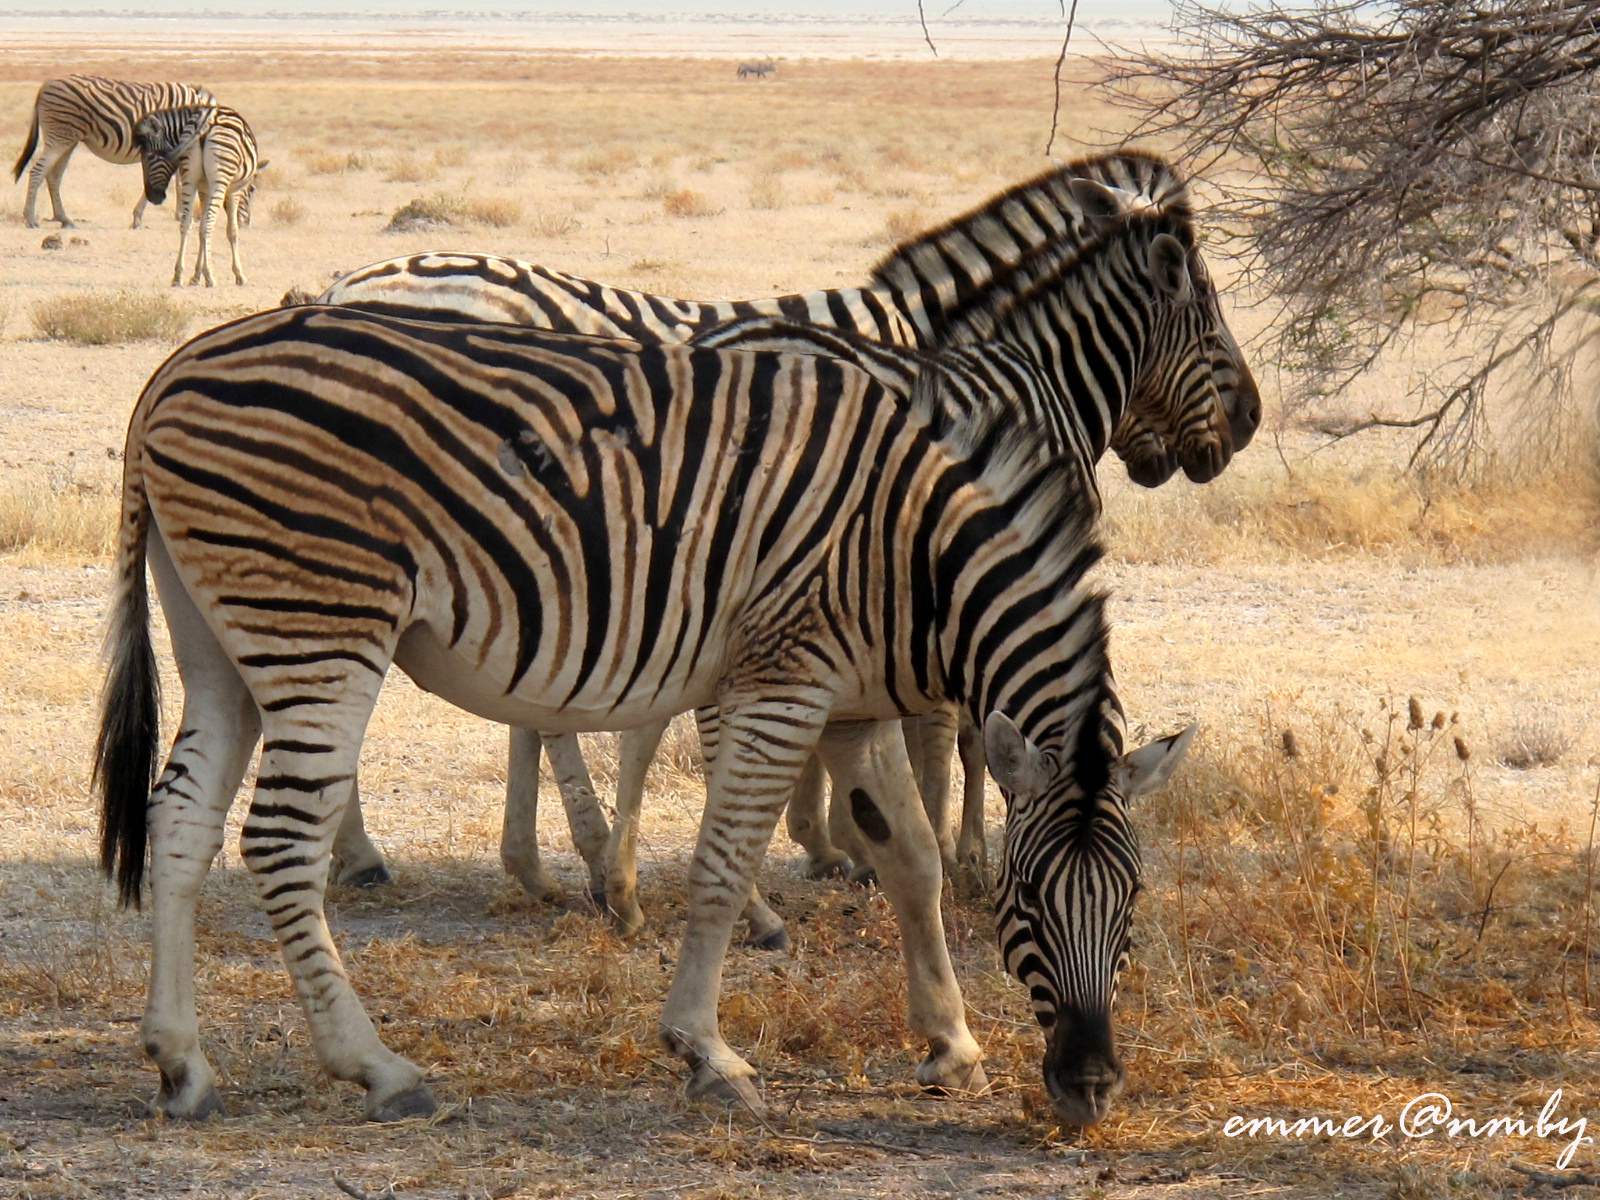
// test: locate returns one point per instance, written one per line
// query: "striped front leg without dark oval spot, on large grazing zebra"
(759, 758)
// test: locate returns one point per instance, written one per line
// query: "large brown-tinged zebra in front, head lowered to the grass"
(572, 534)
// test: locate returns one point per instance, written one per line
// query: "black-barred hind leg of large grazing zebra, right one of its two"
(308, 764)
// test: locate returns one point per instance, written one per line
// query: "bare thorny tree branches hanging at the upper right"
(1396, 167)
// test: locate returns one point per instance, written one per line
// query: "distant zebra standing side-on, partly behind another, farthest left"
(102, 114)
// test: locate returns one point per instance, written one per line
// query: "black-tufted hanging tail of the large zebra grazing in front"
(126, 753)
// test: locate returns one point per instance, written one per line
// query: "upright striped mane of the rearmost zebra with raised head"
(1148, 185)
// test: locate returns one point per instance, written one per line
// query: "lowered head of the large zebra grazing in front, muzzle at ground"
(1068, 882)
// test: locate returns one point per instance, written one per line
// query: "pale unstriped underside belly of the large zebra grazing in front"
(455, 678)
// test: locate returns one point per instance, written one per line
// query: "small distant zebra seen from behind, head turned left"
(214, 154)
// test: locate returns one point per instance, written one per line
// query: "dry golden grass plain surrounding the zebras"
(1372, 881)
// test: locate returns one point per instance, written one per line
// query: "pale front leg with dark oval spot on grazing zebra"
(871, 767)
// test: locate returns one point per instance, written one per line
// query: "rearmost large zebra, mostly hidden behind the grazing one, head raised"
(914, 300)
